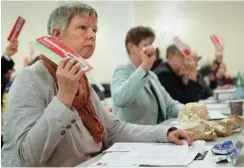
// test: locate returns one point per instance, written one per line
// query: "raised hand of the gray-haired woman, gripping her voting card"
(68, 75)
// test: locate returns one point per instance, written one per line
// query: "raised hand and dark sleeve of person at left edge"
(7, 65)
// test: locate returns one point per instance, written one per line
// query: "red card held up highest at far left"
(16, 29)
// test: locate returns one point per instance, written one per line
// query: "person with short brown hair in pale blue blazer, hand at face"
(138, 96)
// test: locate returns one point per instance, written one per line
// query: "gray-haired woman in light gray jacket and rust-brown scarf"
(53, 116)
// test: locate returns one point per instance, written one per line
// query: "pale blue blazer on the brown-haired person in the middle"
(133, 99)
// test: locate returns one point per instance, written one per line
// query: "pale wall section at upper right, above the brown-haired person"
(193, 22)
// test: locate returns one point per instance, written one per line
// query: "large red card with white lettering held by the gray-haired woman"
(60, 49)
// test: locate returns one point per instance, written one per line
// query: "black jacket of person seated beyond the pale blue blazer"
(192, 92)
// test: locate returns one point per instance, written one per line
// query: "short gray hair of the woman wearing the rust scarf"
(62, 15)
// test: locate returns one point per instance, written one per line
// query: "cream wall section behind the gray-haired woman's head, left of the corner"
(114, 20)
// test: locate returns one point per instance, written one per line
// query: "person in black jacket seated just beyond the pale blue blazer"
(179, 77)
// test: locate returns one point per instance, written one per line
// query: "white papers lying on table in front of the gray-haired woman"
(148, 155)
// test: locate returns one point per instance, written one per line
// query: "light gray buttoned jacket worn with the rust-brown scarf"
(41, 131)
